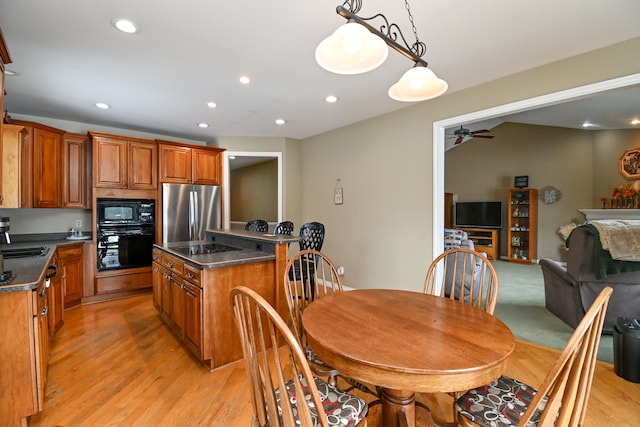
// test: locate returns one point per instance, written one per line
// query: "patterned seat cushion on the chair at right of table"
(499, 404)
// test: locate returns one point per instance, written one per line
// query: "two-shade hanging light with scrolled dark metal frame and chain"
(358, 47)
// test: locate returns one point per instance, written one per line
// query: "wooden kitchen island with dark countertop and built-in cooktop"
(192, 281)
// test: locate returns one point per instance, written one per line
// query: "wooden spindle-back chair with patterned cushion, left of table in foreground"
(284, 391)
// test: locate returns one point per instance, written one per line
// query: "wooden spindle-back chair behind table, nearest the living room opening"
(464, 275)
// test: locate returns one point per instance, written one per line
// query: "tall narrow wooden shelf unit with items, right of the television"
(523, 225)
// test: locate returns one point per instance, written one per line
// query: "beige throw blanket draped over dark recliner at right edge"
(620, 237)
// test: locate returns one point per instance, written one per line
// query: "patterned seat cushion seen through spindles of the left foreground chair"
(342, 409)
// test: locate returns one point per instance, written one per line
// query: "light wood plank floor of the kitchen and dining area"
(116, 364)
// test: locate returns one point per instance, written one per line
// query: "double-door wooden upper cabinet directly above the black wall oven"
(121, 162)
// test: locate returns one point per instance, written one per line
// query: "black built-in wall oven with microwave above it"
(126, 233)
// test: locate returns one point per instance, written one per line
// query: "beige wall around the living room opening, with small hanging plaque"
(382, 234)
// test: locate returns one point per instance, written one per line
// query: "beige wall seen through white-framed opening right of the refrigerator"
(254, 191)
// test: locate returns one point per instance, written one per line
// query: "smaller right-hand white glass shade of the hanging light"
(418, 84)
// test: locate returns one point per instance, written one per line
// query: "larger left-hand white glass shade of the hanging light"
(351, 49)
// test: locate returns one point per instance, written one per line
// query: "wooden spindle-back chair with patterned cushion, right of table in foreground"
(560, 401)
